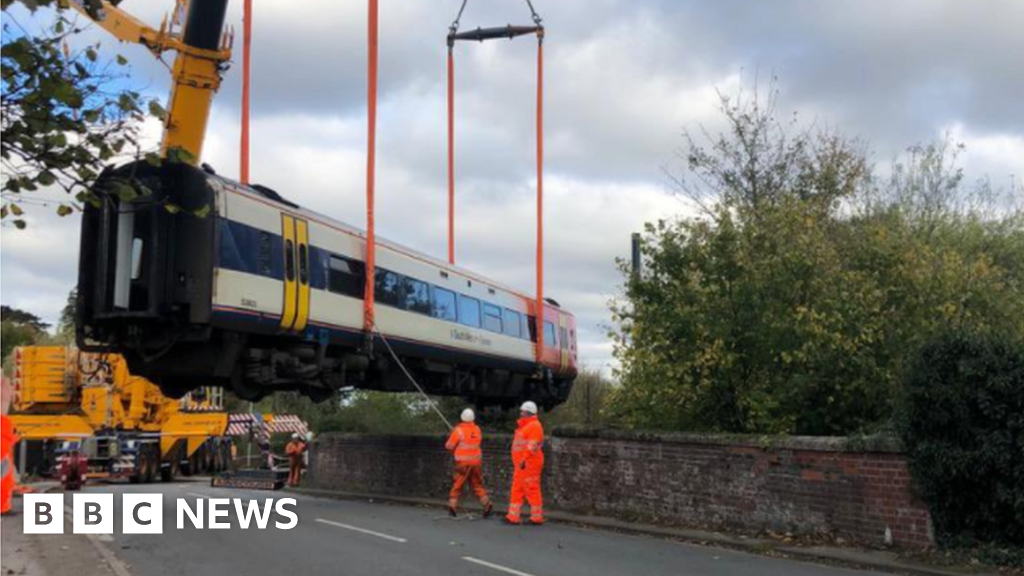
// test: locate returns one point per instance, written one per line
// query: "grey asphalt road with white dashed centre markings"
(343, 538)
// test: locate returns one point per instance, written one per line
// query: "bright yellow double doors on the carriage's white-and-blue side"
(295, 235)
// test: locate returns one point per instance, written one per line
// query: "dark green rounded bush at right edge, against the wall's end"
(963, 425)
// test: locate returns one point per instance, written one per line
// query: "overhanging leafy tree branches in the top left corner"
(66, 114)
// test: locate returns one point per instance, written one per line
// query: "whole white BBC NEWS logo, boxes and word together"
(144, 514)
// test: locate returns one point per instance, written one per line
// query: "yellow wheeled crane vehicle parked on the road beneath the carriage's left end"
(122, 423)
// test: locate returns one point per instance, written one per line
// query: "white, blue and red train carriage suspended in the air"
(263, 296)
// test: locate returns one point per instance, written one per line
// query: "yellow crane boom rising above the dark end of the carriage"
(202, 51)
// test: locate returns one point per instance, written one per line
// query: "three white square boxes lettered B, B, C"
(94, 514)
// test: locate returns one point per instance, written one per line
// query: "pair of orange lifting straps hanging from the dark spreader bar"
(480, 35)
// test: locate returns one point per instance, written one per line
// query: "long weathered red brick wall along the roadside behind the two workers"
(856, 489)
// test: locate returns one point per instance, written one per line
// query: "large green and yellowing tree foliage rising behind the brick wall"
(793, 304)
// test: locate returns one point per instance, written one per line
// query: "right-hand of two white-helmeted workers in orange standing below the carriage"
(528, 459)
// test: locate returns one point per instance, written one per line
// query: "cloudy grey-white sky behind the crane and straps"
(623, 79)
